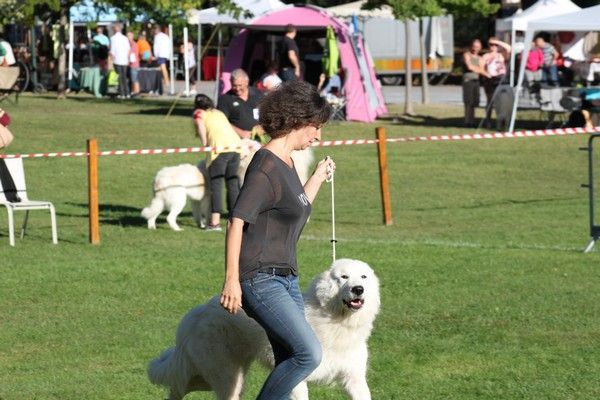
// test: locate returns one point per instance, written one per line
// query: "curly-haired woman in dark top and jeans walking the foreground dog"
(264, 227)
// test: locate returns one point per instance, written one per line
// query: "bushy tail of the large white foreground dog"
(170, 369)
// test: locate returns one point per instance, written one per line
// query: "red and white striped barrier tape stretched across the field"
(327, 143)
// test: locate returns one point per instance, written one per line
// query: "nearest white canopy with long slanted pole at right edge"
(584, 20)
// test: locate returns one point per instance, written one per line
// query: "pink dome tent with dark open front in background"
(251, 47)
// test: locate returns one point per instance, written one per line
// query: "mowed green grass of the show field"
(485, 291)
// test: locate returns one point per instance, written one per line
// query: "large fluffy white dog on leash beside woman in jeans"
(214, 349)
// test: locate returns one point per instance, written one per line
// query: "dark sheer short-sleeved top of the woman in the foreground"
(274, 207)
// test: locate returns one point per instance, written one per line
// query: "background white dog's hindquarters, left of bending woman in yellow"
(172, 186)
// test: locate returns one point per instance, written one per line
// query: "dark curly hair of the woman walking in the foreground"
(292, 105)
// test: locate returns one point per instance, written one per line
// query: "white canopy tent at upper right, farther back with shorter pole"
(519, 22)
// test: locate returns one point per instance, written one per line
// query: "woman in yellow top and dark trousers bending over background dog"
(223, 161)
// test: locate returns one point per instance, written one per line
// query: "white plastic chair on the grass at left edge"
(15, 167)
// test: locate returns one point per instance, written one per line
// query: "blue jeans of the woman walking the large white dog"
(275, 302)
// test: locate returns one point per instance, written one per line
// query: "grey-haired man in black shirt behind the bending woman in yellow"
(240, 104)
